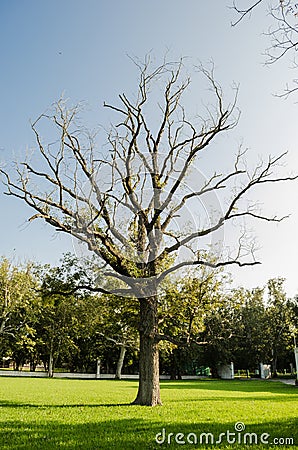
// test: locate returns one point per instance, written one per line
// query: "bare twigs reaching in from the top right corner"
(283, 33)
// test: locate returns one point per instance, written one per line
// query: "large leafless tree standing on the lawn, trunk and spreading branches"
(129, 202)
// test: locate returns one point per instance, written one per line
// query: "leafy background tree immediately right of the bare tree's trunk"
(183, 308)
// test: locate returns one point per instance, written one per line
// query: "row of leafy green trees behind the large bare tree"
(48, 318)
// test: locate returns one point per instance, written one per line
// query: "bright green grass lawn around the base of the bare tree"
(95, 414)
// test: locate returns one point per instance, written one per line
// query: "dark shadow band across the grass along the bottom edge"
(132, 433)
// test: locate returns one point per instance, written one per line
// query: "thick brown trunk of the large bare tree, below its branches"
(149, 390)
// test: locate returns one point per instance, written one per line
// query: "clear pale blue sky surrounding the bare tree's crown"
(79, 48)
